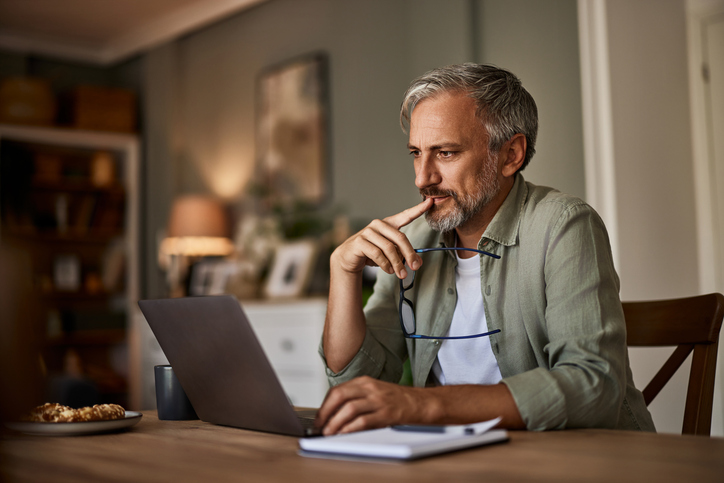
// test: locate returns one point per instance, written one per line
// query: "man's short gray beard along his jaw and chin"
(466, 206)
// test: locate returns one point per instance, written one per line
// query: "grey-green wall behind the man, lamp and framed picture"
(200, 94)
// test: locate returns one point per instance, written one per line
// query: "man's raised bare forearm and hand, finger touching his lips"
(381, 244)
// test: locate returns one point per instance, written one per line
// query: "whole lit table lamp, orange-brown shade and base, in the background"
(198, 227)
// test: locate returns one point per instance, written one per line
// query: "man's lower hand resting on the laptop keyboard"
(366, 403)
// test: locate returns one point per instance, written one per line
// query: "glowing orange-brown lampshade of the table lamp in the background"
(198, 226)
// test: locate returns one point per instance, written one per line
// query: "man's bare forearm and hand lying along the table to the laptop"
(366, 403)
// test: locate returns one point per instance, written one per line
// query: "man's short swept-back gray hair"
(504, 107)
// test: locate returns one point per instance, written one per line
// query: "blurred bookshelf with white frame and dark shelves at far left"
(70, 199)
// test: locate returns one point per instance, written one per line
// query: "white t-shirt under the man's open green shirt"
(467, 361)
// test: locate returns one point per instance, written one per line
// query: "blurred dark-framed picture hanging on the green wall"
(292, 131)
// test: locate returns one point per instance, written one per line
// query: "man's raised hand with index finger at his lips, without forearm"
(382, 244)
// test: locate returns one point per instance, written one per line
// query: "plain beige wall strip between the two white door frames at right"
(652, 148)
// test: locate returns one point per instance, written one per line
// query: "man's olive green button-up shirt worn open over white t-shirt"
(553, 294)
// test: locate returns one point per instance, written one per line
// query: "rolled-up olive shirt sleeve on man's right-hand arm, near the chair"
(578, 326)
